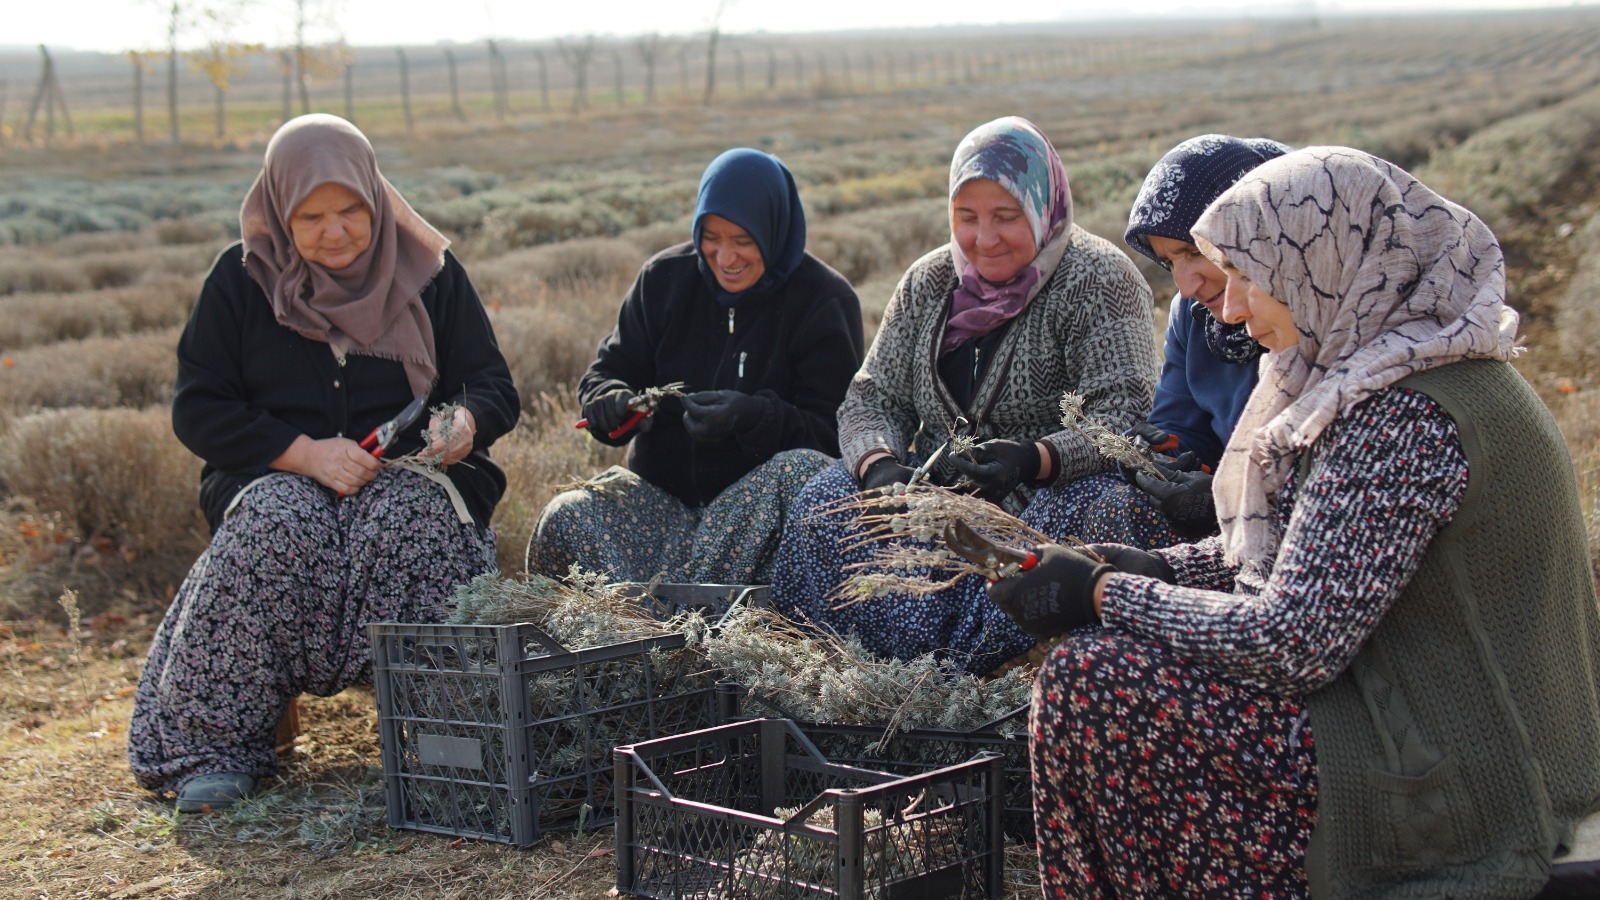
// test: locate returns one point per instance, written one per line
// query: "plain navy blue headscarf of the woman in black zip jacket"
(756, 193)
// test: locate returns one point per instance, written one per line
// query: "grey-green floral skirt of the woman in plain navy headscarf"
(628, 529)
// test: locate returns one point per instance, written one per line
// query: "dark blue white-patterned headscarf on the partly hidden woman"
(1174, 196)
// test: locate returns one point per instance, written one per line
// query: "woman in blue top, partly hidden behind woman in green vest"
(1209, 368)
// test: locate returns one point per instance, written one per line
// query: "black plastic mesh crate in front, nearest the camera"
(926, 840)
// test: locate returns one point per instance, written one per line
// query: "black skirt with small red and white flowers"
(1159, 779)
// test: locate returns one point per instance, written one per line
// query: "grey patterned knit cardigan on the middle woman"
(1089, 331)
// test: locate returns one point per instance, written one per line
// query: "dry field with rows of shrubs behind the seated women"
(103, 246)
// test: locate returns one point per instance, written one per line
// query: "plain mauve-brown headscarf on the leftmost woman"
(372, 307)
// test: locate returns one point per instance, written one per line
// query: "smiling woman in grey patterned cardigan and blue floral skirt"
(982, 339)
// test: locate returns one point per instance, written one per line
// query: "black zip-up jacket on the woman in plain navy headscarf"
(798, 345)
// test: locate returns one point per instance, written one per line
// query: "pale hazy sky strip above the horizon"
(127, 25)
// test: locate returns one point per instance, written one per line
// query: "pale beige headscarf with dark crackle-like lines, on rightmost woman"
(1383, 278)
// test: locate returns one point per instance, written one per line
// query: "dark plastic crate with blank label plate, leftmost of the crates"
(500, 733)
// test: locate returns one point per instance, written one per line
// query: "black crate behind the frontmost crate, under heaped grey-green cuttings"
(916, 750)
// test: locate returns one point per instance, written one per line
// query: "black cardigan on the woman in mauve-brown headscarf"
(249, 387)
